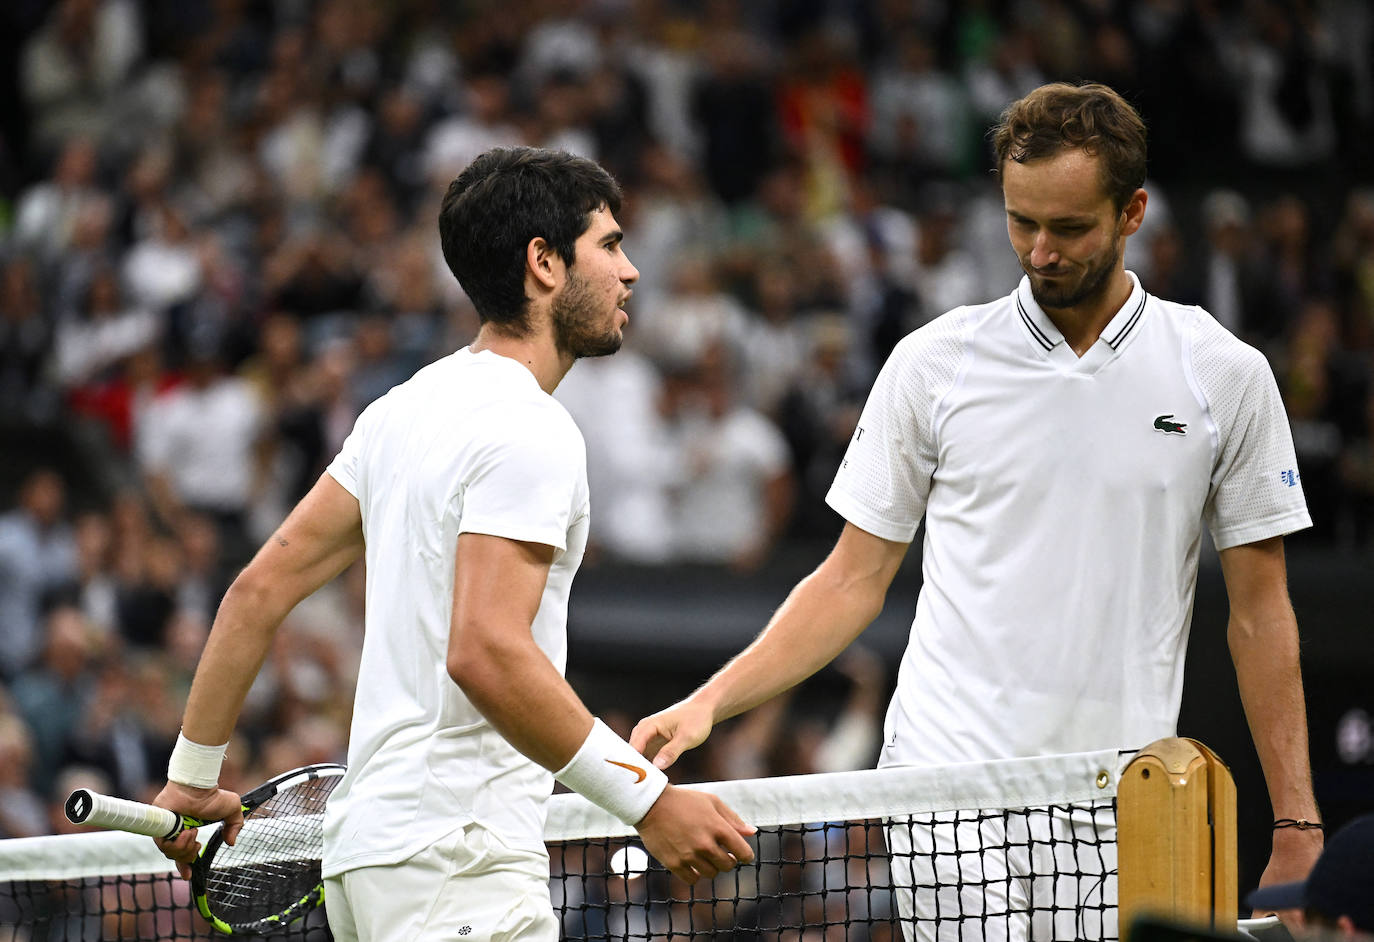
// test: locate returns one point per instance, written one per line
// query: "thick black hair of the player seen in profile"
(499, 204)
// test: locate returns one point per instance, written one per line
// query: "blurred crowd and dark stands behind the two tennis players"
(218, 245)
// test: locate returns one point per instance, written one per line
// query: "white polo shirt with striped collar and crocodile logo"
(1064, 502)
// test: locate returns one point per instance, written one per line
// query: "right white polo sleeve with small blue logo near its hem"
(1257, 490)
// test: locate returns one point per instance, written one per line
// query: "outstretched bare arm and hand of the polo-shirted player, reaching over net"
(821, 617)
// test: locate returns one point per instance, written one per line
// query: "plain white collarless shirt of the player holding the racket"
(471, 444)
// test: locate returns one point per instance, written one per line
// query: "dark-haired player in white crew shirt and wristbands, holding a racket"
(465, 490)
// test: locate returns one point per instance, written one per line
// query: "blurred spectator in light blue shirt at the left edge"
(38, 555)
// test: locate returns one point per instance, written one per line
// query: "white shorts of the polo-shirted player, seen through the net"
(1038, 877)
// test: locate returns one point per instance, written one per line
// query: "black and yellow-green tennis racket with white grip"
(270, 877)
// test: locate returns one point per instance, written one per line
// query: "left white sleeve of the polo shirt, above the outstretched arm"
(884, 480)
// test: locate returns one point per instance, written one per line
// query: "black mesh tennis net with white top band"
(1012, 849)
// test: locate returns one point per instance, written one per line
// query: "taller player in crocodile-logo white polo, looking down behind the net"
(1066, 447)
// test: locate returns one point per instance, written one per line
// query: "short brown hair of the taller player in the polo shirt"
(1092, 117)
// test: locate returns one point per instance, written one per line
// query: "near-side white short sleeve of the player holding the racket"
(528, 479)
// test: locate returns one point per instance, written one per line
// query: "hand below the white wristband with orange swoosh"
(695, 836)
